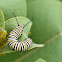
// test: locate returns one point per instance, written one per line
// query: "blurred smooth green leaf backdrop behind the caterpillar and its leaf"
(47, 27)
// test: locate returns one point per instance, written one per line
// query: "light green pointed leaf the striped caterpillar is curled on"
(11, 24)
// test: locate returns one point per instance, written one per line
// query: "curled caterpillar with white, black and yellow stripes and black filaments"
(13, 39)
